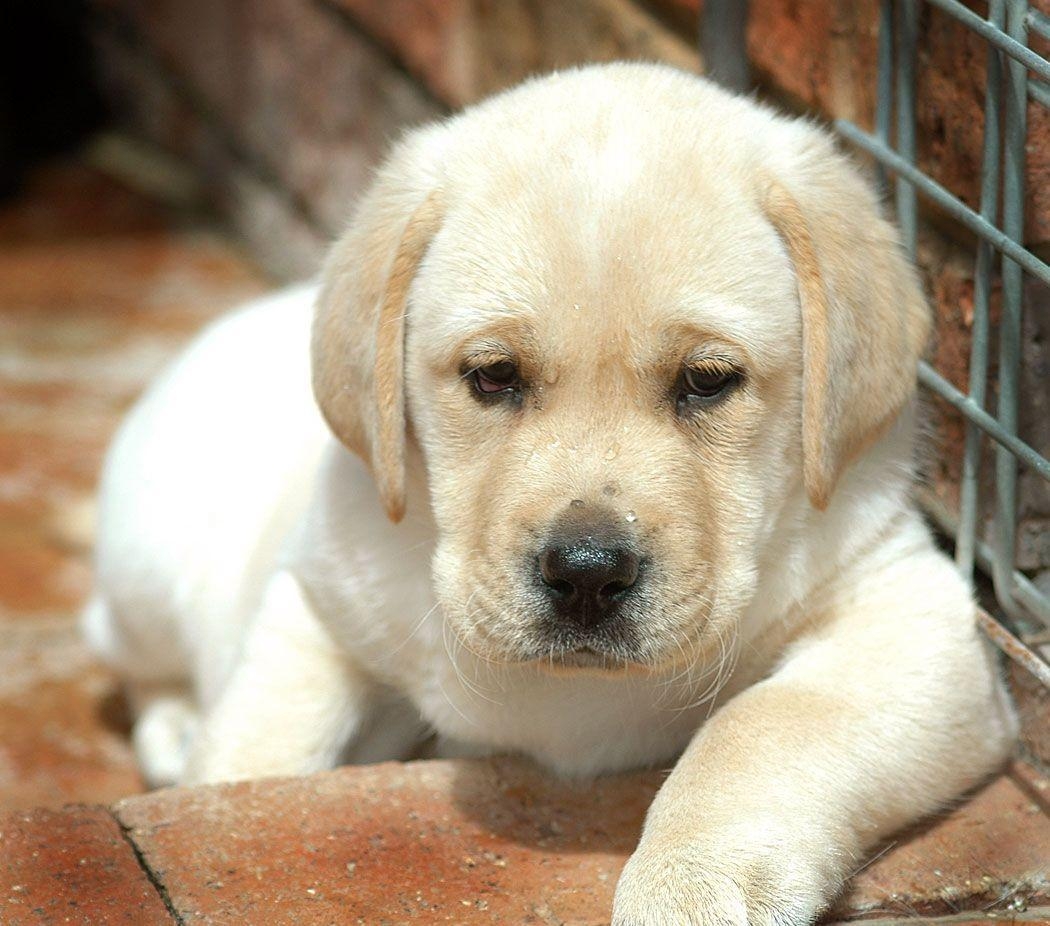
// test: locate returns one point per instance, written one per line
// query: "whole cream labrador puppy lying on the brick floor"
(622, 373)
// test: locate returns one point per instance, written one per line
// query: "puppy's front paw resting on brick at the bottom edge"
(718, 886)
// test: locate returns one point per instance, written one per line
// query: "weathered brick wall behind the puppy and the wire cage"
(283, 107)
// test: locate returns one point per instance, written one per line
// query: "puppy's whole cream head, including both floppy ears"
(626, 318)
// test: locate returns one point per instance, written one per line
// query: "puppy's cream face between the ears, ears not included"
(608, 407)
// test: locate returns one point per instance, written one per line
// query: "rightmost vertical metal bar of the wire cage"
(1010, 332)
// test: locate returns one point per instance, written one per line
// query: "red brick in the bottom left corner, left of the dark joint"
(74, 868)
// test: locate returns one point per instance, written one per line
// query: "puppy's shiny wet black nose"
(587, 579)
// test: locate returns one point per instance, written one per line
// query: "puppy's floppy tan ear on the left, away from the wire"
(359, 334)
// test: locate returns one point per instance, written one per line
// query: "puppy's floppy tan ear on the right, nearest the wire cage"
(865, 319)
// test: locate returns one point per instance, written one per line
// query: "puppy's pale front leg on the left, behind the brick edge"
(292, 703)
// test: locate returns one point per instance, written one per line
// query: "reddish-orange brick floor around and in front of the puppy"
(98, 288)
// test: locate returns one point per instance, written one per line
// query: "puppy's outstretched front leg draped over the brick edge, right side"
(875, 721)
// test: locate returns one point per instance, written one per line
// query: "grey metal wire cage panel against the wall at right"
(999, 226)
